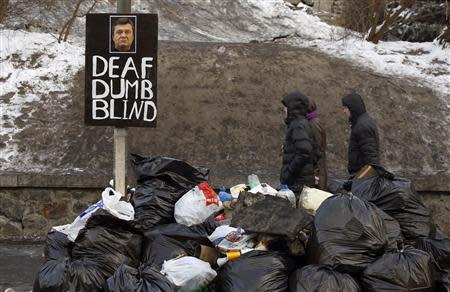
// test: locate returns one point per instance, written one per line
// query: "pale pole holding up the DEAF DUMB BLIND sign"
(120, 134)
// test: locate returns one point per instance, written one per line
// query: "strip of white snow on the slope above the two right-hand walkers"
(427, 63)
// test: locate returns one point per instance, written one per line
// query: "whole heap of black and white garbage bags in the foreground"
(177, 233)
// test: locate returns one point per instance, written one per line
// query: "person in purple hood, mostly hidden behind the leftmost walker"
(320, 138)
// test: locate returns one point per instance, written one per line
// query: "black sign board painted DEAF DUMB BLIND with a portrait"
(121, 66)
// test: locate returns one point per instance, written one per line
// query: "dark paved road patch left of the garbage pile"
(19, 263)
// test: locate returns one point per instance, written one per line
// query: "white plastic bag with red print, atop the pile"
(197, 205)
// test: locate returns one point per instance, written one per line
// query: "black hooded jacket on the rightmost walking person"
(364, 142)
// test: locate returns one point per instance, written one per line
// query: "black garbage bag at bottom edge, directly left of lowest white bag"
(144, 279)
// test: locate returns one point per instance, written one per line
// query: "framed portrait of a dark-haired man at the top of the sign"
(123, 29)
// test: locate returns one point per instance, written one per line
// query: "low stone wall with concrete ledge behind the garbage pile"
(31, 204)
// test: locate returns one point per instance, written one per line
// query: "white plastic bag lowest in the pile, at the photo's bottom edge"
(188, 273)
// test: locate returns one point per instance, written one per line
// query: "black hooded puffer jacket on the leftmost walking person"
(300, 153)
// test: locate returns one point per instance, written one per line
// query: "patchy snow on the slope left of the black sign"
(31, 65)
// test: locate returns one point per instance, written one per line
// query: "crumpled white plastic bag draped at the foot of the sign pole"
(110, 201)
